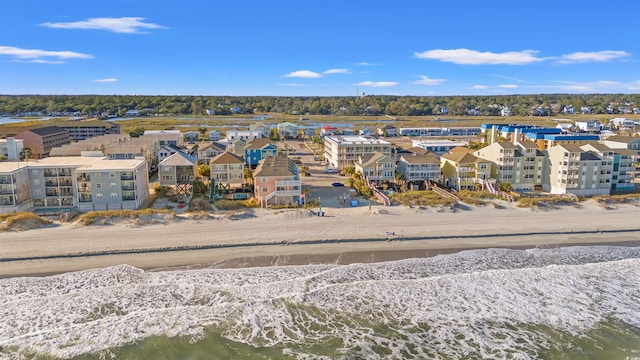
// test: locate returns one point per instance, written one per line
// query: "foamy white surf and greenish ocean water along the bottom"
(580, 302)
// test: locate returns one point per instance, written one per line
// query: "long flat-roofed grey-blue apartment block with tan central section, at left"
(87, 183)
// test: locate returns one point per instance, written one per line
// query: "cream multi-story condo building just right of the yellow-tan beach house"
(520, 164)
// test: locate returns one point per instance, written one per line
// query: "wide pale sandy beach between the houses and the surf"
(258, 237)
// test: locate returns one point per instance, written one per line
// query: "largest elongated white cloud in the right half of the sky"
(473, 57)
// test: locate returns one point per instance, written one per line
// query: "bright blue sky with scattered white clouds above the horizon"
(318, 47)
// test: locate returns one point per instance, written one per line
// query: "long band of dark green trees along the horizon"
(118, 105)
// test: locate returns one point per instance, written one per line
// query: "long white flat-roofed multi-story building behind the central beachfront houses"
(343, 151)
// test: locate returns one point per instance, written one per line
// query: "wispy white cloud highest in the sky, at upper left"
(127, 25)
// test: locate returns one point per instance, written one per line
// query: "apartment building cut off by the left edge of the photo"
(14, 187)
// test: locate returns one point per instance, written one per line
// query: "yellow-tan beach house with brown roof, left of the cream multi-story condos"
(461, 170)
